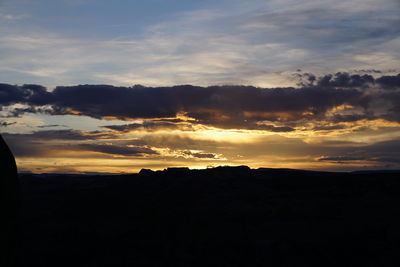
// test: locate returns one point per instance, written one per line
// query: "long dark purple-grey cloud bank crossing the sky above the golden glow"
(220, 106)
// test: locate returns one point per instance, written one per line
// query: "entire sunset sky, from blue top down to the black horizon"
(95, 86)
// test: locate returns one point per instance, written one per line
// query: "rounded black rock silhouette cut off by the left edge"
(9, 201)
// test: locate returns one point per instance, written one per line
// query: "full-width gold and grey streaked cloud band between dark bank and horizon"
(209, 148)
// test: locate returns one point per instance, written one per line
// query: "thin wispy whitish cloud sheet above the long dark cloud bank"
(257, 43)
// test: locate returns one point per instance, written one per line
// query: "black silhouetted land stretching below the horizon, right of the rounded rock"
(216, 217)
